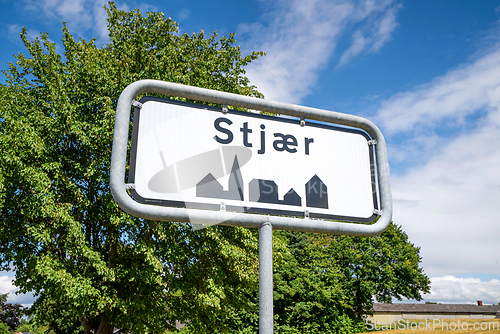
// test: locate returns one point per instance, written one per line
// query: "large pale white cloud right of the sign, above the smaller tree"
(449, 206)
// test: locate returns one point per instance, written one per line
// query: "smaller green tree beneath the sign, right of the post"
(326, 283)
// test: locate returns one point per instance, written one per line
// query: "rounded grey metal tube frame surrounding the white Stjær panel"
(120, 188)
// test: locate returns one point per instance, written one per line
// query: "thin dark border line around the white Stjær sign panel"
(240, 208)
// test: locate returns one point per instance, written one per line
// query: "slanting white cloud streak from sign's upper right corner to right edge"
(450, 98)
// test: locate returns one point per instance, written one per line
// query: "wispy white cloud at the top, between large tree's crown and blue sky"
(301, 37)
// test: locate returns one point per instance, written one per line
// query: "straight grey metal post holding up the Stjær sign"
(266, 279)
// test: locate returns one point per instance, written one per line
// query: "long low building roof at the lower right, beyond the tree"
(436, 308)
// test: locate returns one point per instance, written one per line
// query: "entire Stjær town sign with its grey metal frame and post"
(312, 170)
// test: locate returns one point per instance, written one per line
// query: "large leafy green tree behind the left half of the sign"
(88, 263)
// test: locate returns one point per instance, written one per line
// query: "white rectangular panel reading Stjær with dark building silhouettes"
(199, 157)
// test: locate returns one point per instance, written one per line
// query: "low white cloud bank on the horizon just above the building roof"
(449, 289)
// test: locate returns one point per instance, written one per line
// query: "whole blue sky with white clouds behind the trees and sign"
(427, 73)
